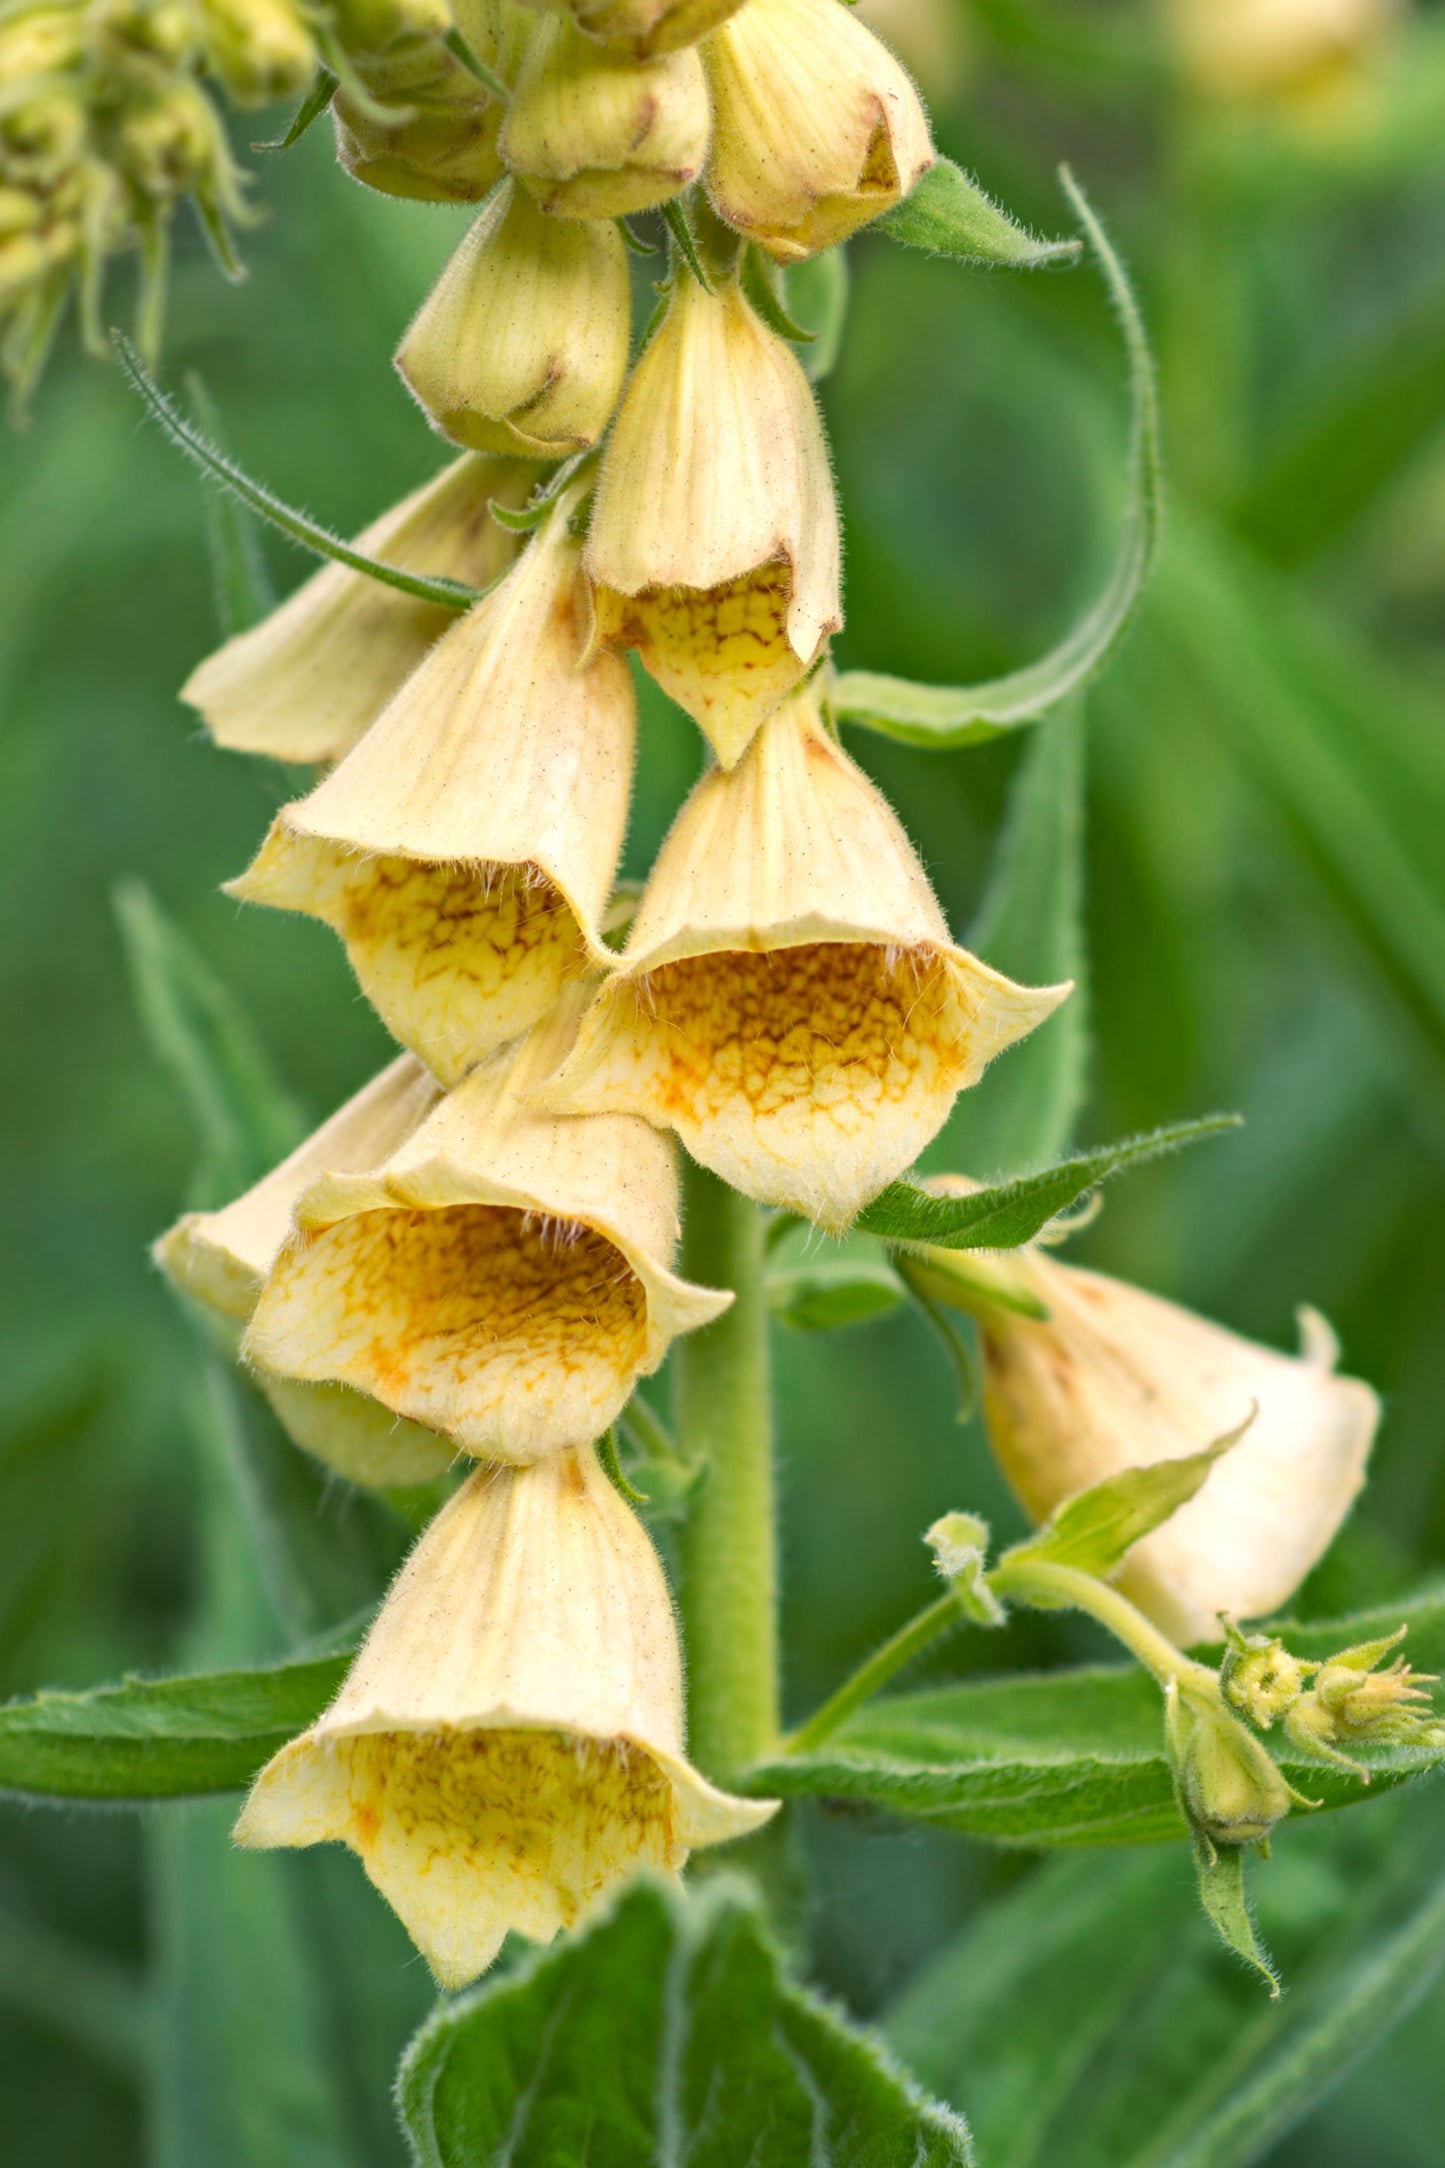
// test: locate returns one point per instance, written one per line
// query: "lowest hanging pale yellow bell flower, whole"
(510, 1742)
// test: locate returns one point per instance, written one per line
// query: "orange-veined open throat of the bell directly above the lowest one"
(508, 1330)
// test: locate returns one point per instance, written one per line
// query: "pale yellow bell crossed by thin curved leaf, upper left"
(315, 675)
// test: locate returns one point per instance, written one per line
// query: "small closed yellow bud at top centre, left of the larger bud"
(597, 135)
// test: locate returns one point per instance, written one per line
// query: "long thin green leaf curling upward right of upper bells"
(946, 717)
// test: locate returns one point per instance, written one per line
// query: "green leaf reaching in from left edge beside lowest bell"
(161, 1740)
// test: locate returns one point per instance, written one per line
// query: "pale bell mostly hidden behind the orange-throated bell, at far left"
(222, 1261)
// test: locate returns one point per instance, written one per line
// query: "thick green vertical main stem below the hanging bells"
(729, 1545)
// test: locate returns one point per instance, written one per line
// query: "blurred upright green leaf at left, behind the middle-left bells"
(242, 1115)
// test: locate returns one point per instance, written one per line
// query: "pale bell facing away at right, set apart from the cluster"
(1117, 1378)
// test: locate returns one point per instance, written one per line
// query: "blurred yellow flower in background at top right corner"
(1307, 55)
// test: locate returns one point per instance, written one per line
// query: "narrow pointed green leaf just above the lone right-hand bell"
(1013, 1213)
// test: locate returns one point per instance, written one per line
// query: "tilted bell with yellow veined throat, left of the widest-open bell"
(467, 847)
